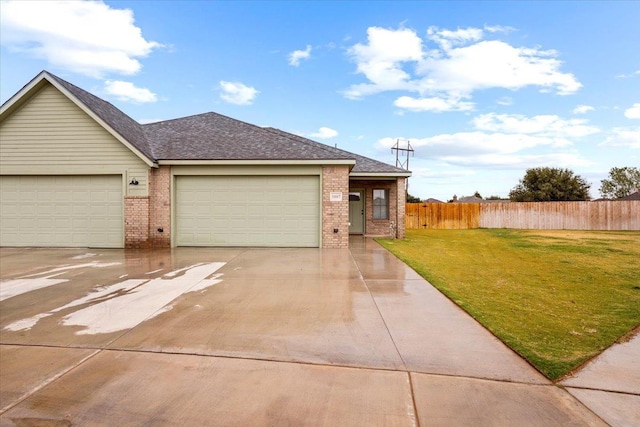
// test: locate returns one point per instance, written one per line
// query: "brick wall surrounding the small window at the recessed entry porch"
(392, 227)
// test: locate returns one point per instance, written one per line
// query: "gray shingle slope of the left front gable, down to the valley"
(128, 128)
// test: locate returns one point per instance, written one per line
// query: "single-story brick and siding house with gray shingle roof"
(75, 171)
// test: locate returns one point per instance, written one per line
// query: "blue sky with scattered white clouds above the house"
(482, 90)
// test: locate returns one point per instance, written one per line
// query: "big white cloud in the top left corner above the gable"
(88, 37)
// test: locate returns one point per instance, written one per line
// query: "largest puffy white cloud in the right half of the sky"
(461, 63)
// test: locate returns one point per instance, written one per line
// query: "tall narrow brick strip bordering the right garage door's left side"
(160, 207)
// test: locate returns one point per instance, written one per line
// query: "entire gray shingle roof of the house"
(212, 136)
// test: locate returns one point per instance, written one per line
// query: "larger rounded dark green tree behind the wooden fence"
(550, 185)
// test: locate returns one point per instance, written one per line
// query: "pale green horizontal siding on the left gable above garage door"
(49, 134)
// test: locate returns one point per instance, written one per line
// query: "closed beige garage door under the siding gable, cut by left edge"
(63, 211)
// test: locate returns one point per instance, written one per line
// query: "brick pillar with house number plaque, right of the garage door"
(335, 215)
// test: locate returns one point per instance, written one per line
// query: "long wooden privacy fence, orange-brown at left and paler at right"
(605, 215)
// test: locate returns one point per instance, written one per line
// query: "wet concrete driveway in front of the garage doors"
(213, 336)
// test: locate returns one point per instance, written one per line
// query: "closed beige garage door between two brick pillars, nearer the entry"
(279, 211)
